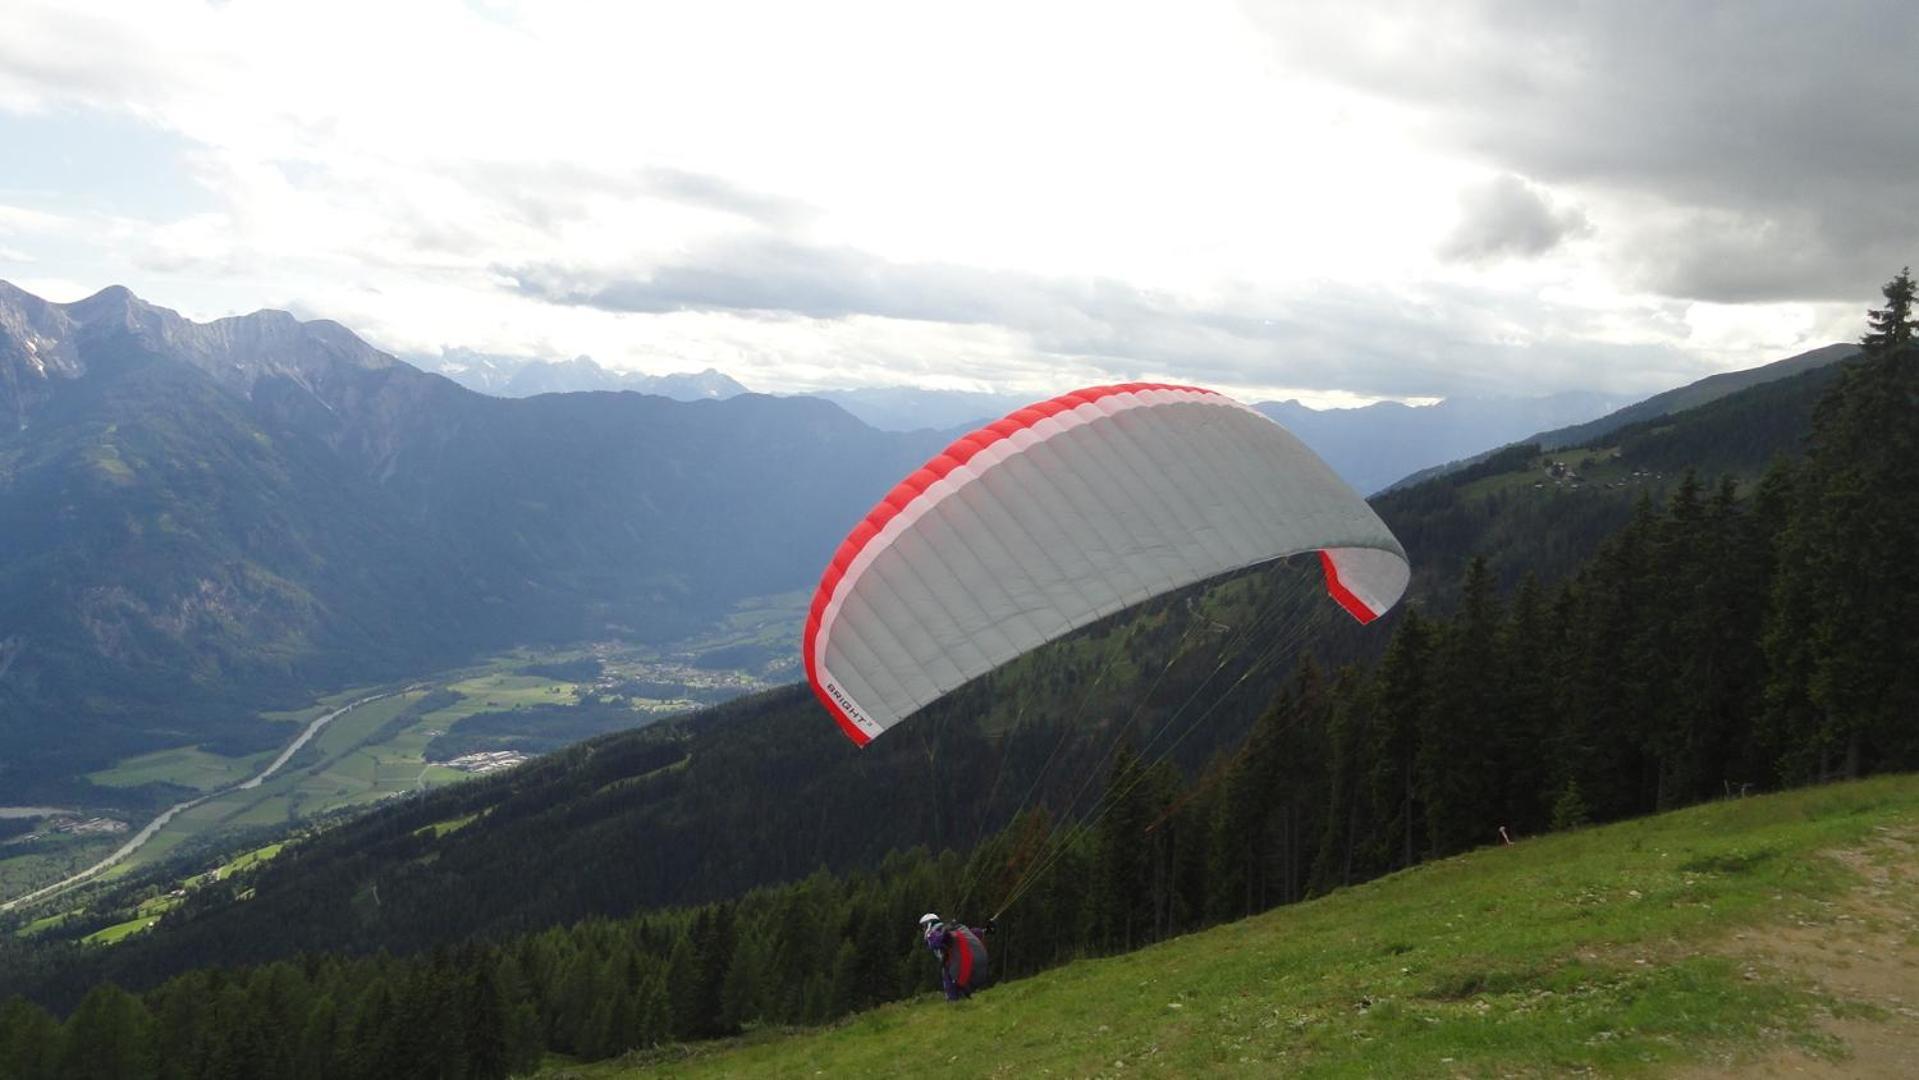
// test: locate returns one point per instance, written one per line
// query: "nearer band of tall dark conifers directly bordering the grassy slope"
(1728, 638)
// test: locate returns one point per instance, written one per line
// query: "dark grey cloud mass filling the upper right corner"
(1770, 131)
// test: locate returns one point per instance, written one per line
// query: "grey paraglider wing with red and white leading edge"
(1060, 515)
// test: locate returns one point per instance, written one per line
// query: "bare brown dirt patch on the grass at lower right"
(1864, 954)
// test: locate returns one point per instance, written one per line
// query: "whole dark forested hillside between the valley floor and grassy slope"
(1728, 638)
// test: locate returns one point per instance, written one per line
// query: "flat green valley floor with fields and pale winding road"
(369, 745)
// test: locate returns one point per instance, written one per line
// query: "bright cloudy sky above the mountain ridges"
(1331, 202)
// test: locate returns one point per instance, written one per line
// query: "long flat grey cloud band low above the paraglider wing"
(1415, 342)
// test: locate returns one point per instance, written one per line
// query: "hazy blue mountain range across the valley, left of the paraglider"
(208, 519)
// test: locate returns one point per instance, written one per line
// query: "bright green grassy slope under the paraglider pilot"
(1607, 949)
